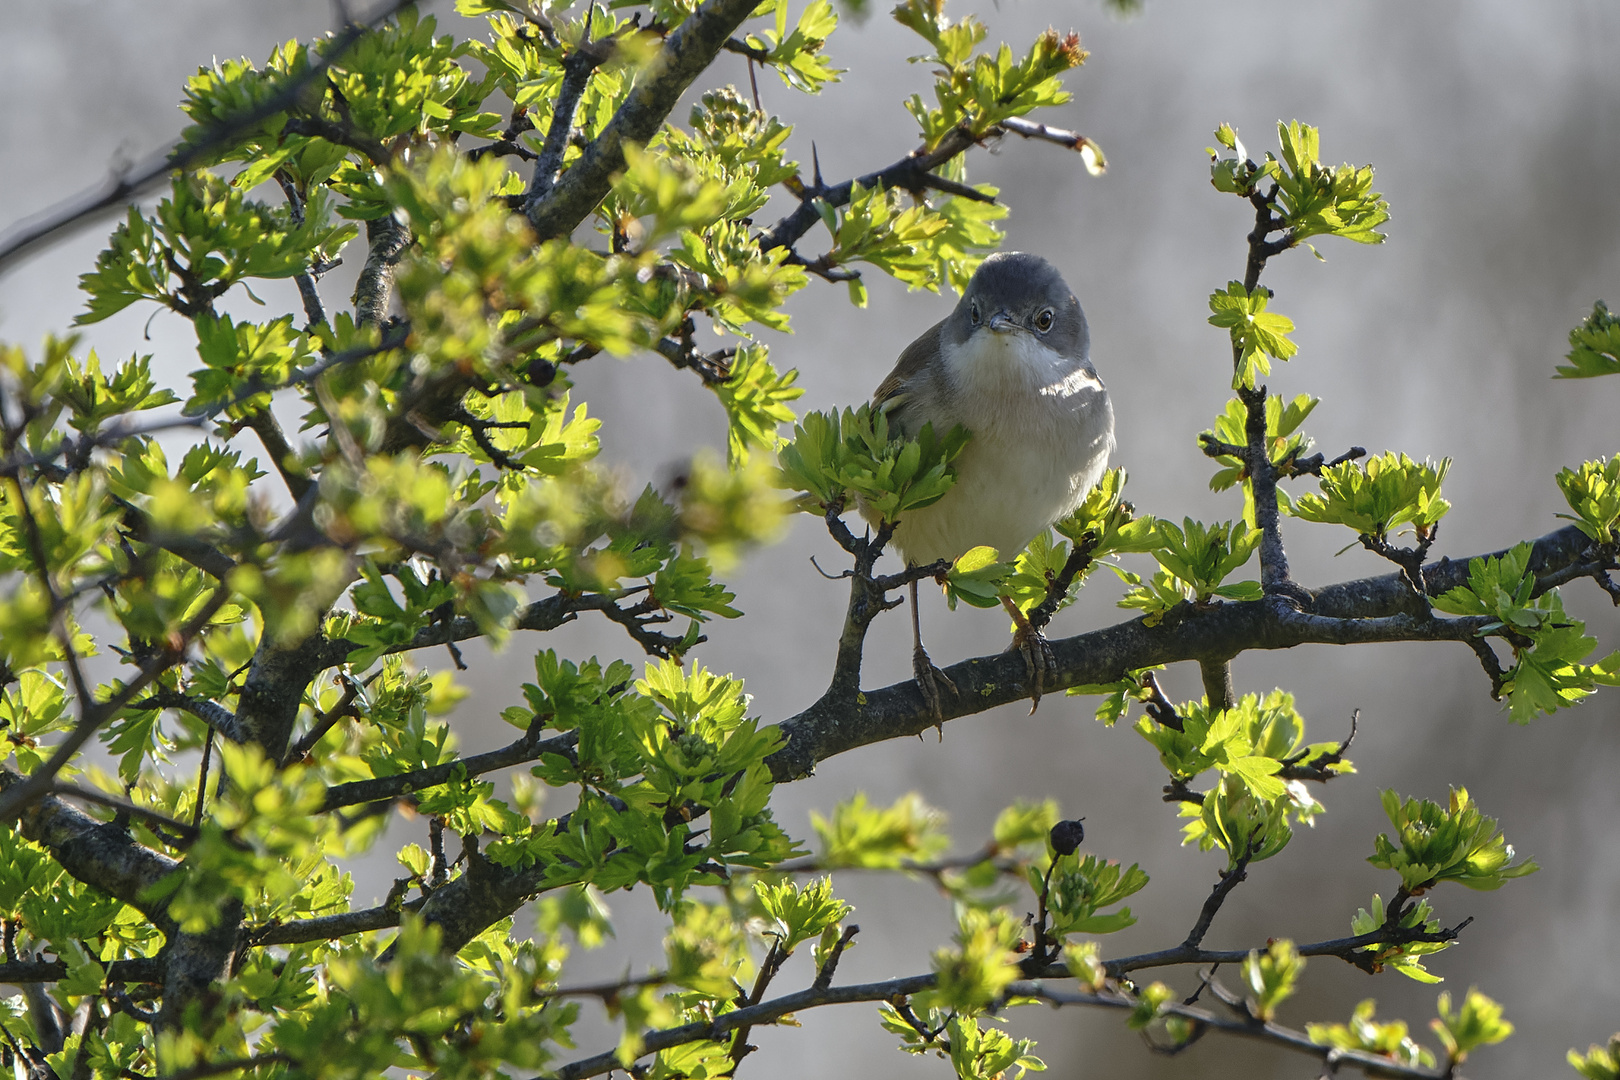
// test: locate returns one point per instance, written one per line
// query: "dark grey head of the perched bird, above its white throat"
(1015, 292)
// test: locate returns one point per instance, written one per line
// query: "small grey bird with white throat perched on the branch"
(1012, 365)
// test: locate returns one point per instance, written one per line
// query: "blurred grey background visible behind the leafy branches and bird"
(1496, 135)
